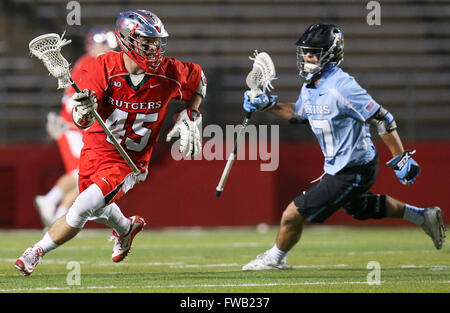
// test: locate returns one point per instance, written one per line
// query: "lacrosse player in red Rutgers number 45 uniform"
(131, 90)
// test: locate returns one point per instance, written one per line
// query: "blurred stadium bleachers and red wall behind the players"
(404, 63)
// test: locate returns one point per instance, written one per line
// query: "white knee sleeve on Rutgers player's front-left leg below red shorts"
(84, 206)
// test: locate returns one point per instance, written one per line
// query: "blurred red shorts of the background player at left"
(70, 144)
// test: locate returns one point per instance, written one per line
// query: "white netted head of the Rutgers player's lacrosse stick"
(47, 48)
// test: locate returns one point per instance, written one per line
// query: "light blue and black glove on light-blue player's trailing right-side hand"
(405, 167)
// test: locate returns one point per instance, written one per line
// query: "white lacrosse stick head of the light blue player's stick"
(259, 80)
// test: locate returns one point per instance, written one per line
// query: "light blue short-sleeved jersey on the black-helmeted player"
(337, 111)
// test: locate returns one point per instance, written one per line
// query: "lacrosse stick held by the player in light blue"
(259, 81)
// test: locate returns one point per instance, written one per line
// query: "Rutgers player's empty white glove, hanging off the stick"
(187, 127)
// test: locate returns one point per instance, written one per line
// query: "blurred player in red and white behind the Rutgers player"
(56, 202)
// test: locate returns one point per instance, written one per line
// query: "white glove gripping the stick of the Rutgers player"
(84, 103)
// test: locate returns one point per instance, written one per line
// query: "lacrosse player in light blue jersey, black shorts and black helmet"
(340, 113)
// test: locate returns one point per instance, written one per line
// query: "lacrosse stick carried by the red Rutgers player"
(47, 48)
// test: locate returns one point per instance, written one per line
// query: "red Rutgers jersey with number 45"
(134, 114)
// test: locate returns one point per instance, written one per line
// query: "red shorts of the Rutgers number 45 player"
(113, 177)
